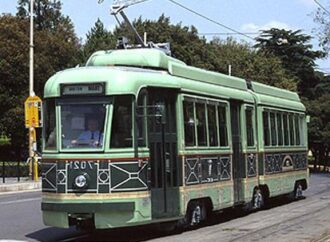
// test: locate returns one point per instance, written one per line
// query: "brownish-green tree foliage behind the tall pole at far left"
(55, 47)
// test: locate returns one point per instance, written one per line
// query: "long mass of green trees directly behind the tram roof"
(188, 46)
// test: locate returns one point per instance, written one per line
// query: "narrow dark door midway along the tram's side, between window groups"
(237, 159)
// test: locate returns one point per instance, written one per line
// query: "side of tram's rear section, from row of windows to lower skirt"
(284, 160)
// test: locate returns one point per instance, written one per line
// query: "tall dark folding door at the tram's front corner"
(163, 153)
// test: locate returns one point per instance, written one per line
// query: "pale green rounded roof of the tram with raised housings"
(127, 71)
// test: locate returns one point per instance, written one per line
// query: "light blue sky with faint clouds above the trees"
(248, 16)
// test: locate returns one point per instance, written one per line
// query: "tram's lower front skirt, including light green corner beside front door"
(104, 214)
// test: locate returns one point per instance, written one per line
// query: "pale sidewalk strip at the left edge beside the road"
(25, 184)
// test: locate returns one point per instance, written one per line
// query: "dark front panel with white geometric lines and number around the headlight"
(104, 176)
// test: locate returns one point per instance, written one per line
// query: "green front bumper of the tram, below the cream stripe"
(105, 215)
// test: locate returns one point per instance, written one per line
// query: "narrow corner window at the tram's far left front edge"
(50, 125)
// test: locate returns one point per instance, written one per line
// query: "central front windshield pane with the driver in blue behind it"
(82, 126)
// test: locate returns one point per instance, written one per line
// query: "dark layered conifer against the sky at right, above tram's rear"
(296, 54)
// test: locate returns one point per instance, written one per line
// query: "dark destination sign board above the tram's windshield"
(83, 89)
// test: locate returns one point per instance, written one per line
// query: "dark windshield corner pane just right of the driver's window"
(121, 134)
